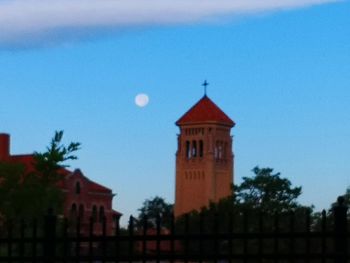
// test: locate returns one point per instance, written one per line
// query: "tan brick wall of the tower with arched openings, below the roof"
(208, 176)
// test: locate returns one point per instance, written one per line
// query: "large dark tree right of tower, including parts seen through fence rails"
(259, 203)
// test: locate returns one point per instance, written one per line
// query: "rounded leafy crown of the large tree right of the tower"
(267, 192)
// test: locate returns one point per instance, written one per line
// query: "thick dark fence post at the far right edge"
(340, 229)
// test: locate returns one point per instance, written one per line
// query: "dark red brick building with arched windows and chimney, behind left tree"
(83, 197)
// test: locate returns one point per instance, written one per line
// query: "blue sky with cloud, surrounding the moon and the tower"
(280, 72)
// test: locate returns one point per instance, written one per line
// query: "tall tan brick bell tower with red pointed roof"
(204, 157)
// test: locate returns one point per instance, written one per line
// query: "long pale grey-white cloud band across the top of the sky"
(45, 21)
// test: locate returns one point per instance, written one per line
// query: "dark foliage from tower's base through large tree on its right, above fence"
(265, 195)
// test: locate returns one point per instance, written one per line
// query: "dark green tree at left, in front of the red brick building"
(28, 195)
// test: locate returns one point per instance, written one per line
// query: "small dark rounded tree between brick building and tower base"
(152, 209)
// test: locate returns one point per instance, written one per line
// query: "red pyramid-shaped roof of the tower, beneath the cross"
(205, 111)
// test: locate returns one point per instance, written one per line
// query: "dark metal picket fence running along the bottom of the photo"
(231, 237)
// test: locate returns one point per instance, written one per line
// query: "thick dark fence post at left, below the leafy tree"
(49, 237)
